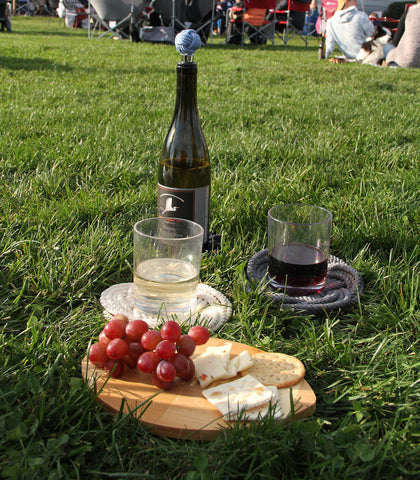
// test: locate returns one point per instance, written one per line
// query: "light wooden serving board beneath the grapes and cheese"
(181, 412)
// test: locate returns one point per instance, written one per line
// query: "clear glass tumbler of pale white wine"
(167, 255)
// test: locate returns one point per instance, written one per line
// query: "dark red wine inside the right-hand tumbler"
(297, 269)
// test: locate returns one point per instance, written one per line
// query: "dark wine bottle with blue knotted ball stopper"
(184, 167)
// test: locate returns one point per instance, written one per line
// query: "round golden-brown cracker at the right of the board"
(276, 369)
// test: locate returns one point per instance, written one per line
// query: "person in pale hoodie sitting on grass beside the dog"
(348, 28)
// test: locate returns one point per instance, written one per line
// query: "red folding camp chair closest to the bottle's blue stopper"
(251, 19)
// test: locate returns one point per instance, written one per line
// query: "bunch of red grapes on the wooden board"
(163, 353)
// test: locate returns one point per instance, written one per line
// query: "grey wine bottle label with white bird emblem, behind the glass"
(190, 204)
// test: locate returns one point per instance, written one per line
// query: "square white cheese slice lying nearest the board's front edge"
(242, 394)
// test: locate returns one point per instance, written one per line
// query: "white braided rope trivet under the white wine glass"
(213, 308)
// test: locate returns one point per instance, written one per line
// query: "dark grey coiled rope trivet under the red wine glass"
(343, 287)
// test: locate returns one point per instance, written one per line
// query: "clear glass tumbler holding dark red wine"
(298, 248)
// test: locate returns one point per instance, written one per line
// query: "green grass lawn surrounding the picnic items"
(82, 123)
